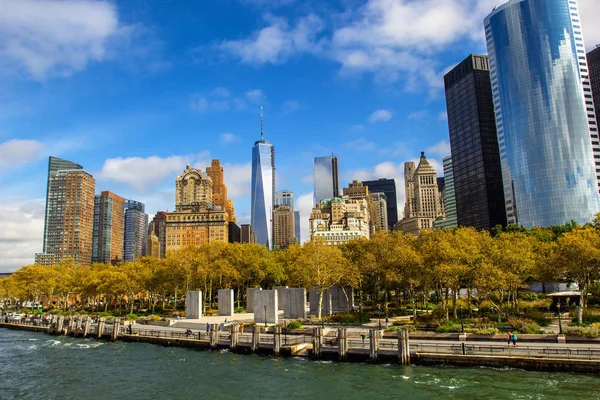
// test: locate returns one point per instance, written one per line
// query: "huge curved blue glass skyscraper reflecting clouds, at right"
(541, 88)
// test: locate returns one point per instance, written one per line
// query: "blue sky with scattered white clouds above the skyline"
(135, 90)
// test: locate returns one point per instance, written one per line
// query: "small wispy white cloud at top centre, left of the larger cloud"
(277, 42)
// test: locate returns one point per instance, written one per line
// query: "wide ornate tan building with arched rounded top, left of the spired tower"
(195, 221)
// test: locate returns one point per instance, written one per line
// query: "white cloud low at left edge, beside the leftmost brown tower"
(22, 232)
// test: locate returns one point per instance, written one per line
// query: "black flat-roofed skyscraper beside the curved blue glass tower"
(475, 160)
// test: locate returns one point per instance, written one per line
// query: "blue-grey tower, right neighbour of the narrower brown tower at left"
(136, 231)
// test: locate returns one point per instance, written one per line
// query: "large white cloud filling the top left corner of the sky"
(51, 37)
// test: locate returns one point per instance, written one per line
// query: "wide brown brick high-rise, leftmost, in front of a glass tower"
(70, 216)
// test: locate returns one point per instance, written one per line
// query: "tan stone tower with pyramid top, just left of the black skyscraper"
(422, 196)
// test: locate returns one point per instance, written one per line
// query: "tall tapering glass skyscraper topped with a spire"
(263, 190)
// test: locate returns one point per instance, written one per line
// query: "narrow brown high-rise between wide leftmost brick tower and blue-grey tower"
(108, 238)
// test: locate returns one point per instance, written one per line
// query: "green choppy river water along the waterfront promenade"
(38, 366)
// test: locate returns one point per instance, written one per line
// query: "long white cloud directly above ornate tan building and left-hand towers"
(143, 174)
